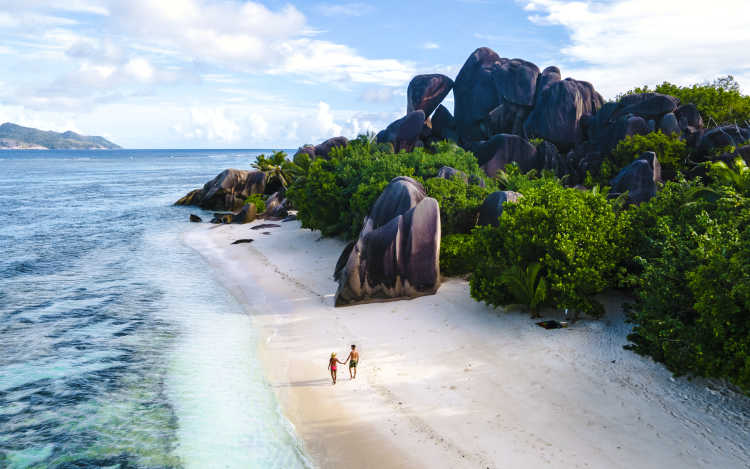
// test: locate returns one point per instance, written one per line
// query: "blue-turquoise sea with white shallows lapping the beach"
(118, 347)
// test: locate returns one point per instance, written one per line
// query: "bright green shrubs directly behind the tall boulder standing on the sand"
(335, 195)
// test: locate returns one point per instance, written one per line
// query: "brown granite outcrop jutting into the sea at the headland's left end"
(227, 191)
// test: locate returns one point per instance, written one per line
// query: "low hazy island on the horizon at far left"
(16, 137)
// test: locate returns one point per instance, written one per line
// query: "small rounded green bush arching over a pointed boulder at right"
(670, 150)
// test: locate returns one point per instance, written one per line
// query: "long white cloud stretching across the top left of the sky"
(250, 37)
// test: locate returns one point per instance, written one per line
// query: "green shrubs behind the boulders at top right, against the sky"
(719, 102)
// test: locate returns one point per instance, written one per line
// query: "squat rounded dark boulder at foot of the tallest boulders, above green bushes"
(503, 149)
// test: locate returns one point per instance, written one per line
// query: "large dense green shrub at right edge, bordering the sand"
(692, 309)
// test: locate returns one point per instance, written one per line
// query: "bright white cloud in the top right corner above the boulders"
(620, 44)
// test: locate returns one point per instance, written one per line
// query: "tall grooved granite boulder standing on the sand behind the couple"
(396, 254)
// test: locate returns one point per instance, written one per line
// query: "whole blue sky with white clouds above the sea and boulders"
(279, 74)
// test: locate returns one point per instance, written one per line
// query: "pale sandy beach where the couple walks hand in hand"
(447, 382)
